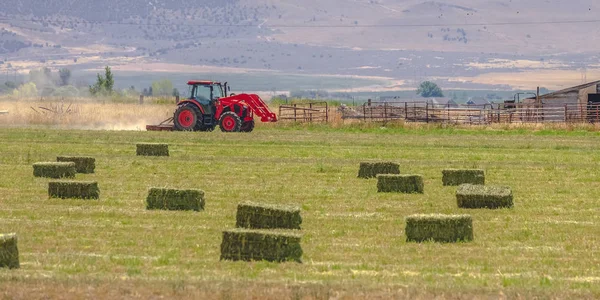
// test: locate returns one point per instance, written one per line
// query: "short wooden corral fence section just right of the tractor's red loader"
(304, 112)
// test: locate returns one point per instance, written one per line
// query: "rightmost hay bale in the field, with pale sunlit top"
(479, 196)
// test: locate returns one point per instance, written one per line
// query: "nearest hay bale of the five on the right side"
(439, 228)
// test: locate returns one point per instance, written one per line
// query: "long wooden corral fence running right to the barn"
(474, 114)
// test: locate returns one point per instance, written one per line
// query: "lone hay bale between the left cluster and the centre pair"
(173, 199)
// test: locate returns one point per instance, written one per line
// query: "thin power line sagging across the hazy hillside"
(523, 23)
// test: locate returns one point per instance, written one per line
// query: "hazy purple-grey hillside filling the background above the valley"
(406, 40)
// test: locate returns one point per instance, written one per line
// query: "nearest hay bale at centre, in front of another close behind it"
(249, 245)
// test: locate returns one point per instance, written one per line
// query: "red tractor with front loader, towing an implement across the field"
(209, 106)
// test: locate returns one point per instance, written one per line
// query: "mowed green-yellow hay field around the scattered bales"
(354, 242)
